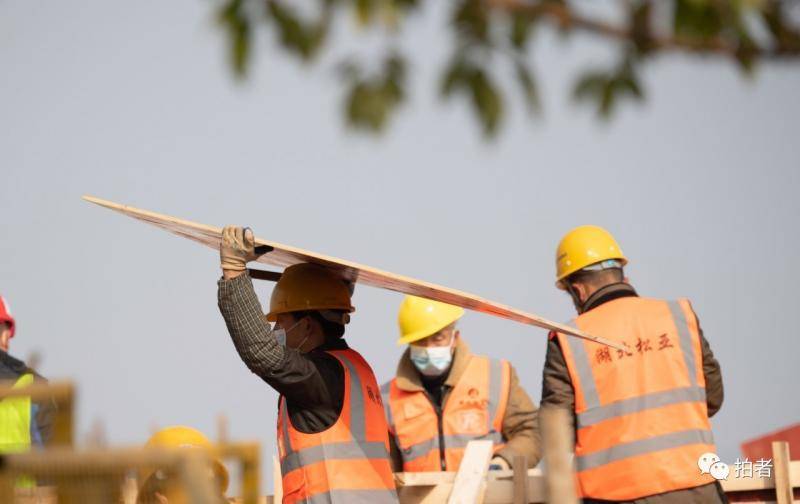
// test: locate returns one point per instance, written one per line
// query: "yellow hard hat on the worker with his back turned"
(582, 247)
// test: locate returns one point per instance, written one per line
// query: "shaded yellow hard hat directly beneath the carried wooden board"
(309, 286)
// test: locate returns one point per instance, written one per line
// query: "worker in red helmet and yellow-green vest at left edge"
(23, 422)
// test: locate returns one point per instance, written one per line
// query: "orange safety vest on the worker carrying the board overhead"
(349, 461)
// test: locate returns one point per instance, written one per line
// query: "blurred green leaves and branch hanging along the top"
(495, 37)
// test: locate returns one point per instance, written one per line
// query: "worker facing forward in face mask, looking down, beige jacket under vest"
(444, 396)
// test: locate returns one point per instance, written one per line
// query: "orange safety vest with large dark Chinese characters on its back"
(642, 419)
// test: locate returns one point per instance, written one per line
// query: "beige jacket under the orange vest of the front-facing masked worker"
(520, 427)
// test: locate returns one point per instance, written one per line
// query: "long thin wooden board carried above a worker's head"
(284, 255)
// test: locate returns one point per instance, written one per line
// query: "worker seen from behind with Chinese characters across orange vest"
(641, 415)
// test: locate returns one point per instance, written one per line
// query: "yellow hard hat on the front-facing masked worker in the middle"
(420, 317)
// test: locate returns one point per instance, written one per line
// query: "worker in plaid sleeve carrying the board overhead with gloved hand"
(332, 434)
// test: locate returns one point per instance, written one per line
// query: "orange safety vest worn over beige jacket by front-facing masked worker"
(474, 409)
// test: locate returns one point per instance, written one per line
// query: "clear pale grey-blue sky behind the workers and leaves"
(132, 101)
